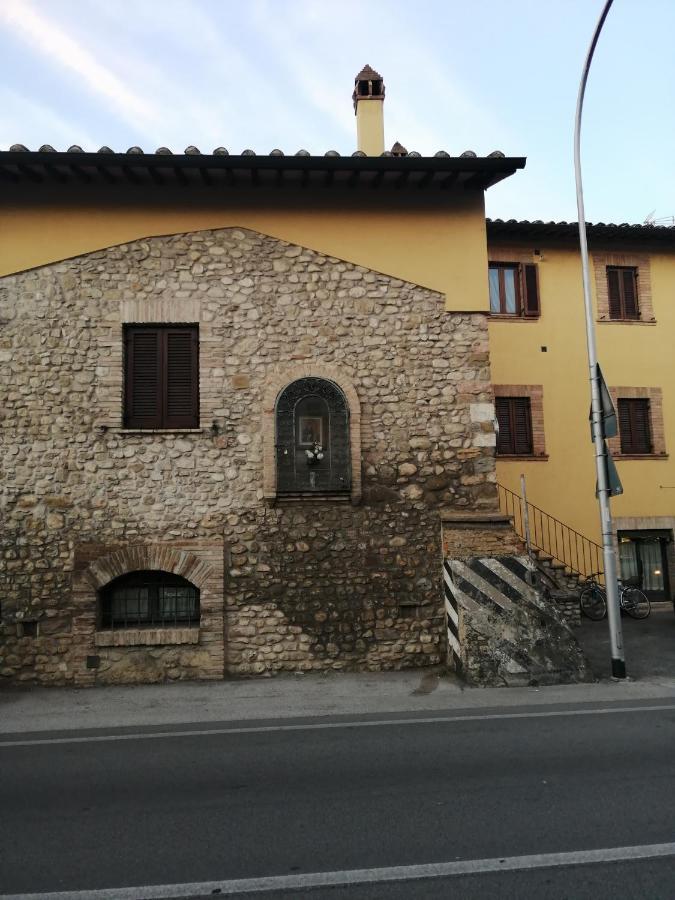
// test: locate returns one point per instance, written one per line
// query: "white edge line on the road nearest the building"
(320, 726)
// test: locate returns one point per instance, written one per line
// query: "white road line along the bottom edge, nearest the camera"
(361, 876)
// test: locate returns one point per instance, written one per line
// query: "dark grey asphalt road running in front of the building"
(189, 804)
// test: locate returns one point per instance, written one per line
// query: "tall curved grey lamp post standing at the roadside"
(608, 553)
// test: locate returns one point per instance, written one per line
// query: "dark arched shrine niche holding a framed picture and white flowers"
(312, 438)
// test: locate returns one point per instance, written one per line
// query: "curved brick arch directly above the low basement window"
(148, 557)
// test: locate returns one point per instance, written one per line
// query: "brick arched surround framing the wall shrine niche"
(275, 385)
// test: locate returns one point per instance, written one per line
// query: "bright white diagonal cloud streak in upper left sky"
(53, 43)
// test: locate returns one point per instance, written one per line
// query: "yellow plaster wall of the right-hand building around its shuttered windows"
(630, 355)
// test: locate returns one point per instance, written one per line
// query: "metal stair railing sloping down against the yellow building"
(552, 537)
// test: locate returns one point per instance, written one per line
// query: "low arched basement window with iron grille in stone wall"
(148, 599)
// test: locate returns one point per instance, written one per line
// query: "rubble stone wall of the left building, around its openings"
(295, 587)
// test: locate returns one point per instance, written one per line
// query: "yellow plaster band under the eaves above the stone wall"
(439, 246)
